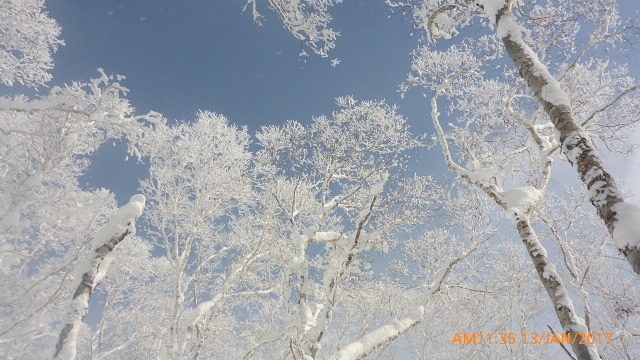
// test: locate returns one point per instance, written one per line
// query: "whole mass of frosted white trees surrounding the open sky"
(314, 238)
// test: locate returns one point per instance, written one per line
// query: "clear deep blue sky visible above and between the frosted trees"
(182, 56)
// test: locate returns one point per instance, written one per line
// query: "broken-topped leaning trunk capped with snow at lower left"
(93, 270)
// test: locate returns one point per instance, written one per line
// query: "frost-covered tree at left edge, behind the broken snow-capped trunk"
(46, 219)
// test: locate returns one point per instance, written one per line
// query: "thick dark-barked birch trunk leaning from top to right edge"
(576, 144)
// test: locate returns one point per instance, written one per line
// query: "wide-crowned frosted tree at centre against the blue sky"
(333, 183)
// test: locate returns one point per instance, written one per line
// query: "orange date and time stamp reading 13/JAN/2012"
(532, 338)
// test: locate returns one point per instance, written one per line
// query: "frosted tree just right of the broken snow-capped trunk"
(199, 174)
